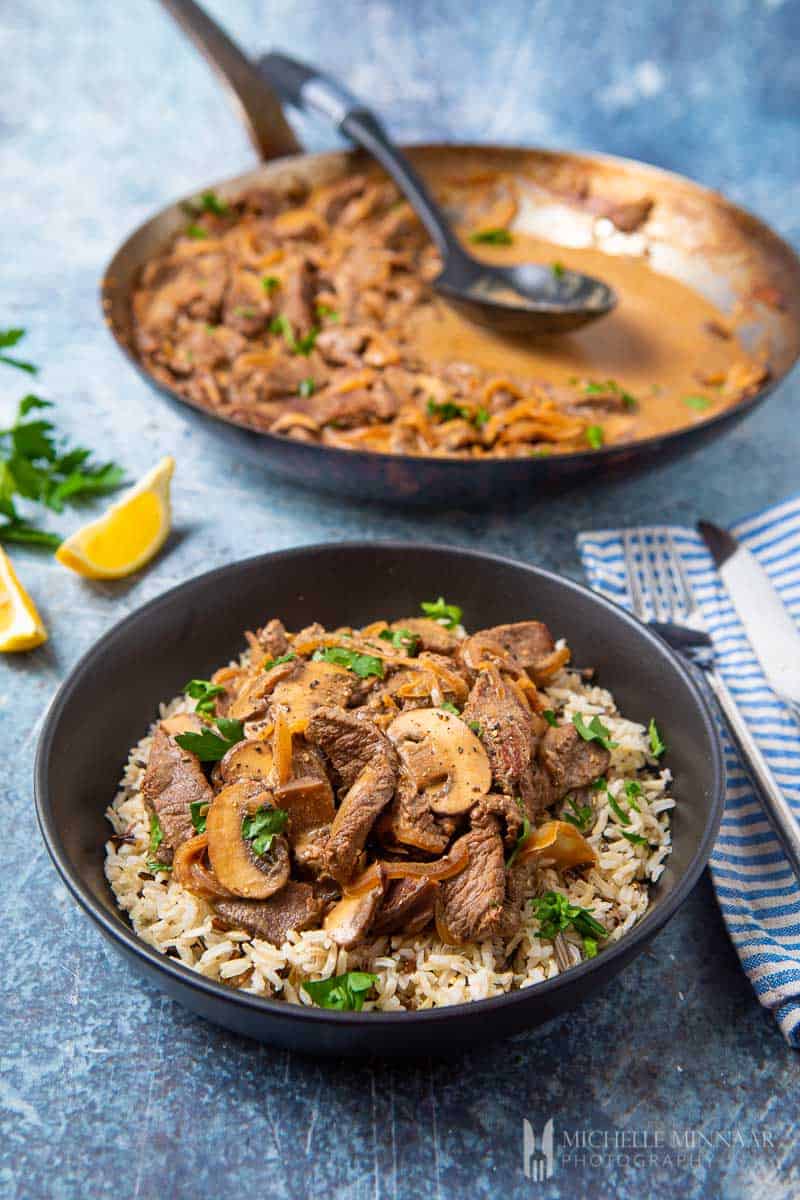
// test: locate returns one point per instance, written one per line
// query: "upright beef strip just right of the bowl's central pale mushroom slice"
(506, 728)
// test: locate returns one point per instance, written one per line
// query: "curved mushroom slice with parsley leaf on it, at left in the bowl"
(234, 863)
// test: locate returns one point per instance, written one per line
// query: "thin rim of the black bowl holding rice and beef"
(117, 928)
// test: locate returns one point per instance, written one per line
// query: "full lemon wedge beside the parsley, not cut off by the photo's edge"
(129, 536)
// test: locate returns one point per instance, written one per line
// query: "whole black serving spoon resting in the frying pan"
(528, 298)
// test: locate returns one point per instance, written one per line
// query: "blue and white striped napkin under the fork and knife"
(759, 895)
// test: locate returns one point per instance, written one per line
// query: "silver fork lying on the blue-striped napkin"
(661, 595)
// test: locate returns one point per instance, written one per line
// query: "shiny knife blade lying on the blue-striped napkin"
(768, 625)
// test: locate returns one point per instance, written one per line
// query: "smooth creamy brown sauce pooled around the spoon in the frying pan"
(657, 345)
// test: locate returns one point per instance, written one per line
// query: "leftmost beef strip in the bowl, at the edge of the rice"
(173, 782)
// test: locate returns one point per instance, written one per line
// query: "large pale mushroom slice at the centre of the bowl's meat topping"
(443, 757)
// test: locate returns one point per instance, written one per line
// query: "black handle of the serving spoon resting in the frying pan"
(314, 92)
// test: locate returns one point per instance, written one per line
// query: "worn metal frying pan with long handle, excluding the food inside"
(694, 235)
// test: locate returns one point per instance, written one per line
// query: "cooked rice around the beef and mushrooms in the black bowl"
(422, 971)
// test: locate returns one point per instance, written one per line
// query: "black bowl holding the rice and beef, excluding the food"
(196, 627)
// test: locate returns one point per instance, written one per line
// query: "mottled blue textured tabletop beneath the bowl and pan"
(107, 1088)
